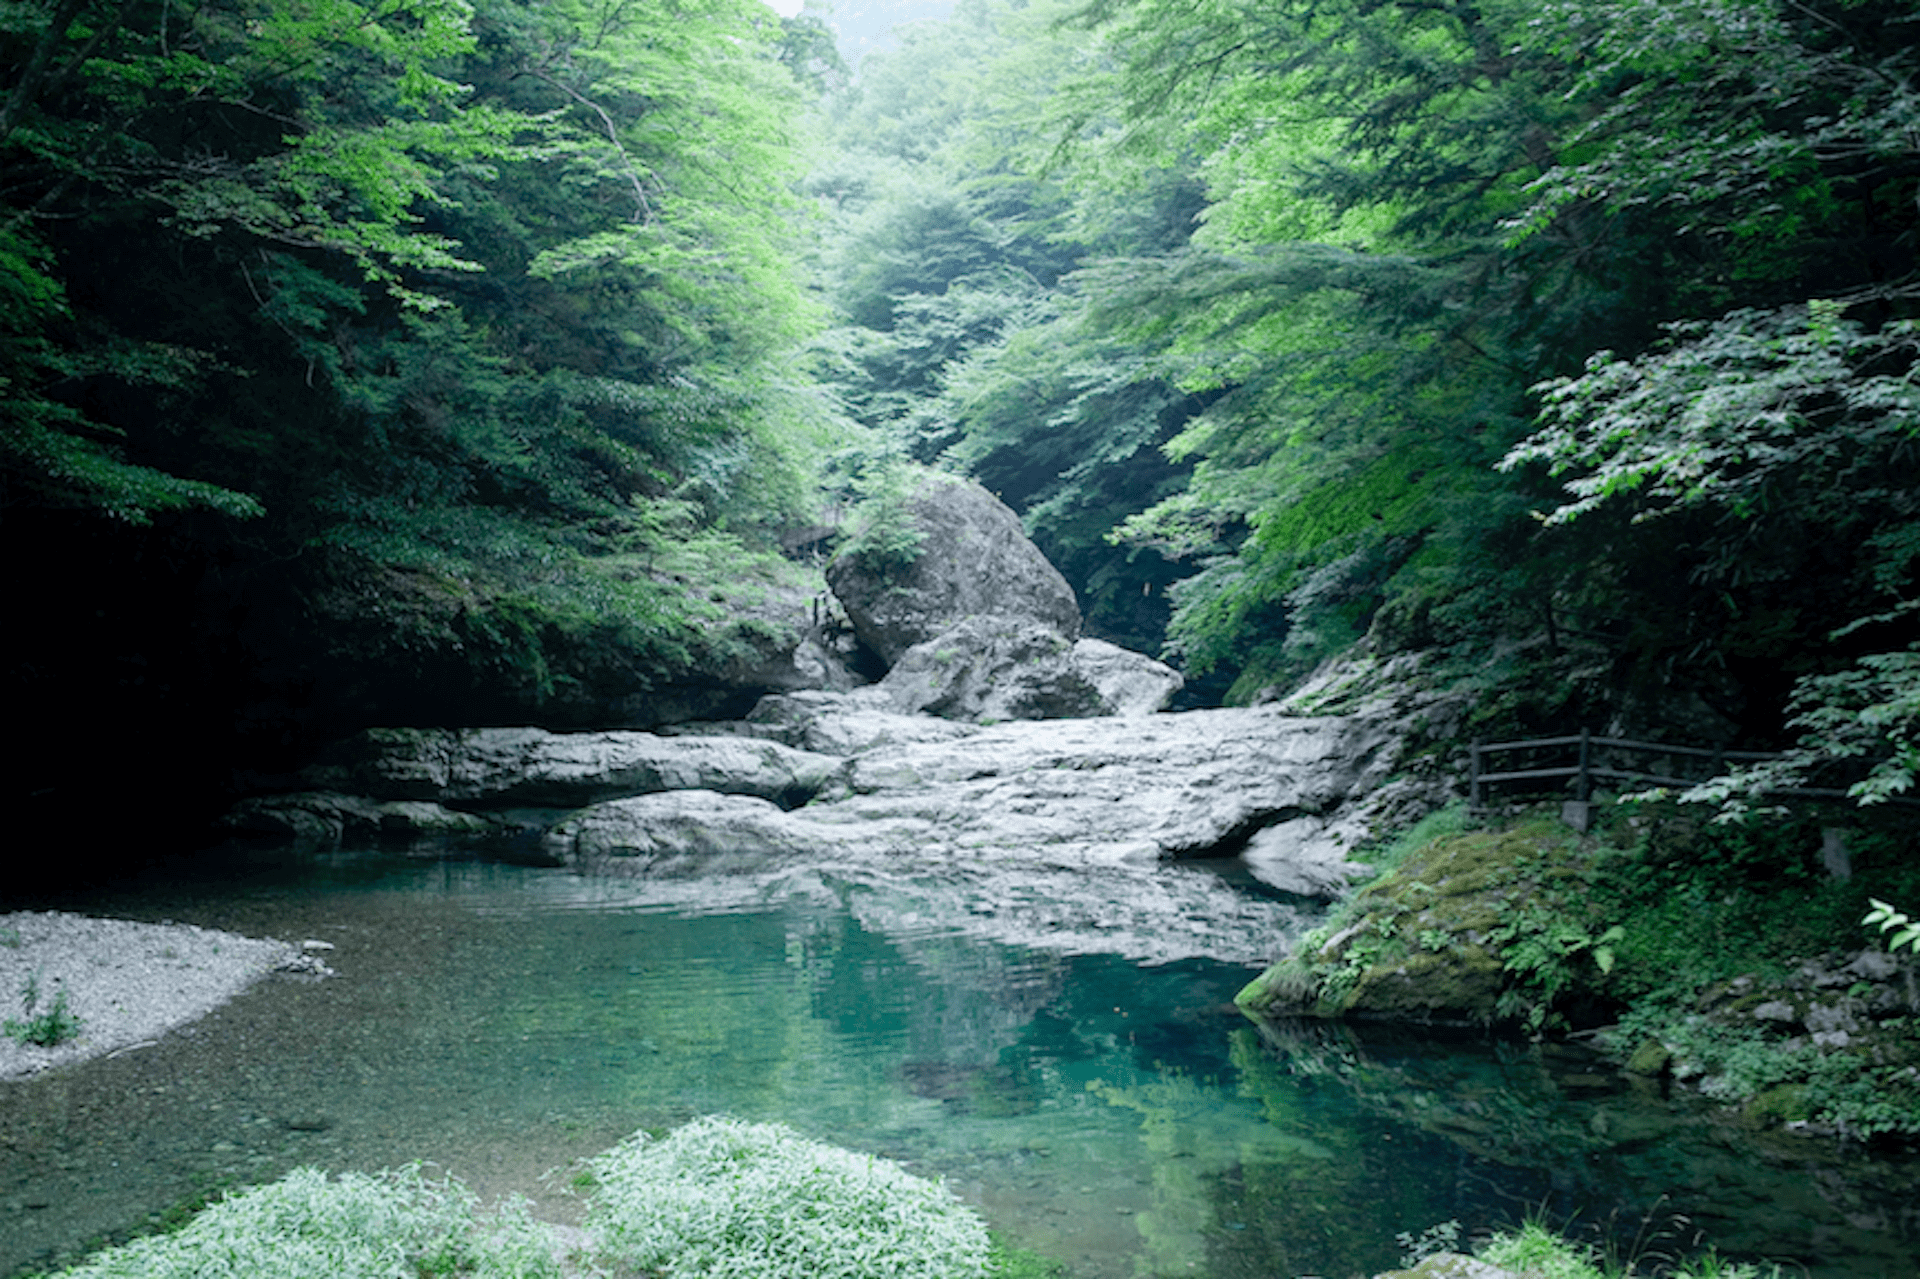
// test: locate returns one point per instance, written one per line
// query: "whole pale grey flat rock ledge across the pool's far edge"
(842, 779)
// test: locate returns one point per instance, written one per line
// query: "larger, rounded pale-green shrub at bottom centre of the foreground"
(723, 1199)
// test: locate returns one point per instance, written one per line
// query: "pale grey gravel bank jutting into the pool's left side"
(128, 984)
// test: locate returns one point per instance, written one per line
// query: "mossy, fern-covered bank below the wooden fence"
(1717, 959)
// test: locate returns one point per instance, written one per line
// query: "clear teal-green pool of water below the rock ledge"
(504, 1023)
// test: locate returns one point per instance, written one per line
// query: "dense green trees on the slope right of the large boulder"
(1581, 329)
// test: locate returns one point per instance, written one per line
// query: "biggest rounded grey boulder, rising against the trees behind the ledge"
(972, 560)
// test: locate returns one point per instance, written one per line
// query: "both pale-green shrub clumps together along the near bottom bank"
(713, 1199)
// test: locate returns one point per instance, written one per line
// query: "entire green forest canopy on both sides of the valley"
(427, 360)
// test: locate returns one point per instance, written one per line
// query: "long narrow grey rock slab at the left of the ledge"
(504, 767)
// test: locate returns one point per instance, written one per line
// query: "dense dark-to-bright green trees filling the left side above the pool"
(398, 360)
